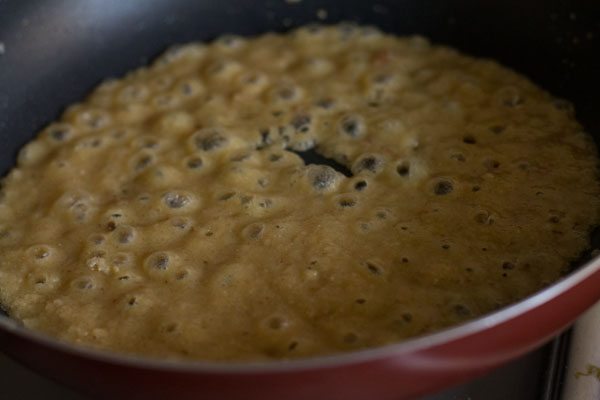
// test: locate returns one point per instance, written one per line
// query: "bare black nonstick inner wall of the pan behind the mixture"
(53, 52)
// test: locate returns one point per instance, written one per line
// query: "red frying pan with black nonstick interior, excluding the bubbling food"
(53, 52)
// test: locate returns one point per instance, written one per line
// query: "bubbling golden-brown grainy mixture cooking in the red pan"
(170, 214)
